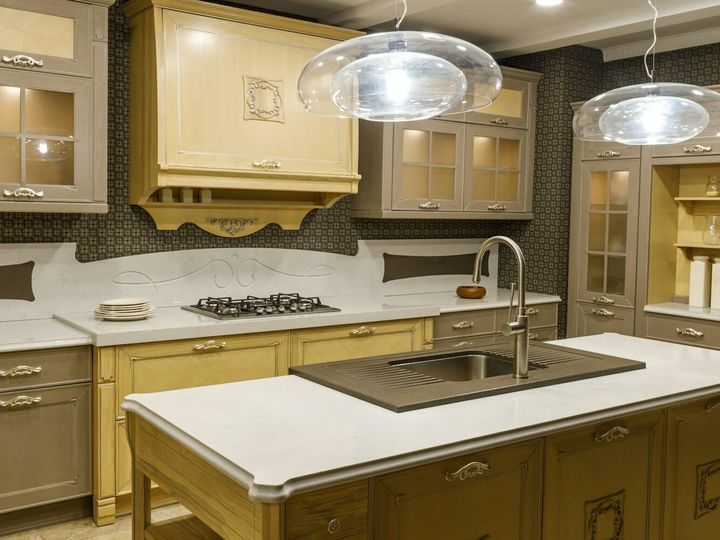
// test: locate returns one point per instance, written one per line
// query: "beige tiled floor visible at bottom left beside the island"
(84, 529)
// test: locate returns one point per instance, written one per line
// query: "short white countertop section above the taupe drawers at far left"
(39, 334)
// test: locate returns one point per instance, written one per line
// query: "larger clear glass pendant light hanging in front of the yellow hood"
(399, 76)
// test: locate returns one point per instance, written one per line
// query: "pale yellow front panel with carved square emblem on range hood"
(231, 103)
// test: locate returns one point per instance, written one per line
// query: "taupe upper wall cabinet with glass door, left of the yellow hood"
(53, 105)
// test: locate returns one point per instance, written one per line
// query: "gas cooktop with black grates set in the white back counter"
(253, 306)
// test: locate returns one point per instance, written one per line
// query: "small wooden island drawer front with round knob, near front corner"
(338, 512)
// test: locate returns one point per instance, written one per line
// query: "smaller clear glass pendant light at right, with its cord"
(649, 113)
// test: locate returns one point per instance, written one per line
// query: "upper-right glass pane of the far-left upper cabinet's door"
(49, 113)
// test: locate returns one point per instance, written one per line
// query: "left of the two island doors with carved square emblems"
(605, 481)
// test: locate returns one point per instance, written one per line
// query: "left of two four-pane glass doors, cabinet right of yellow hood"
(427, 166)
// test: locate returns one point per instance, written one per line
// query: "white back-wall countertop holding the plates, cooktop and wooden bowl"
(172, 323)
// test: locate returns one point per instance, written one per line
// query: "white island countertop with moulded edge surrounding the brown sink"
(283, 435)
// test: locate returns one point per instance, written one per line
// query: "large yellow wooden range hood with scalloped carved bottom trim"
(218, 136)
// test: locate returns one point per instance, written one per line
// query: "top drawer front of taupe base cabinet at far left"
(28, 369)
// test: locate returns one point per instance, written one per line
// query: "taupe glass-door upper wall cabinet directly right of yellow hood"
(473, 166)
